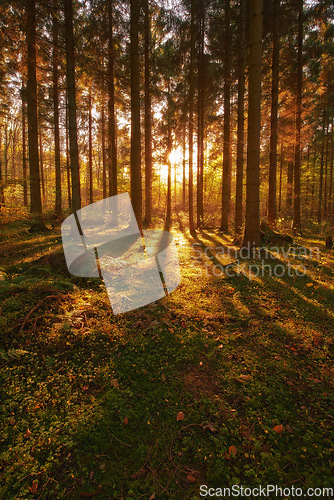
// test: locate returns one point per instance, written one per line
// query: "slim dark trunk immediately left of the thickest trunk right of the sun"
(241, 119)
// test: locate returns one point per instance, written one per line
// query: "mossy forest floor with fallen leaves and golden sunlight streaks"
(226, 381)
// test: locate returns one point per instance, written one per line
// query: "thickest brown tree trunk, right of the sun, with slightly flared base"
(252, 223)
